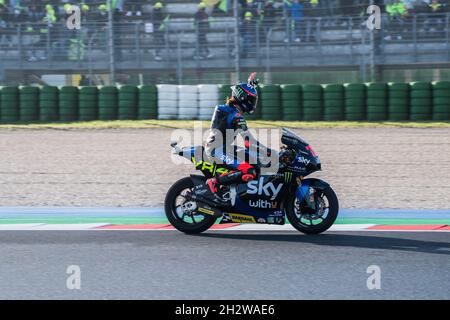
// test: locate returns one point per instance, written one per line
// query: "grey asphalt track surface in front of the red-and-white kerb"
(224, 265)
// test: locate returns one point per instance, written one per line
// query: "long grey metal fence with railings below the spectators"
(266, 45)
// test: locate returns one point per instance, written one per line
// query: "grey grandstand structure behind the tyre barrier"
(332, 36)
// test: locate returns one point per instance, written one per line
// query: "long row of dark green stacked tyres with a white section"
(416, 101)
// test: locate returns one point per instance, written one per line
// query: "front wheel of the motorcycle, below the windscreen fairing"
(314, 214)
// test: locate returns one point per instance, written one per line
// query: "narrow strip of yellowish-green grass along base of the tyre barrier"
(189, 124)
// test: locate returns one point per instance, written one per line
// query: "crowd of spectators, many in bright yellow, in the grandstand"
(42, 17)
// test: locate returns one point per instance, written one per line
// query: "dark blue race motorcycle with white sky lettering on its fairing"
(310, 204)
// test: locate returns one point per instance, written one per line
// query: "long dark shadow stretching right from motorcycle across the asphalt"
(367, 241)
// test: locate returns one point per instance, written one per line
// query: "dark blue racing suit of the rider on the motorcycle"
(227, 123)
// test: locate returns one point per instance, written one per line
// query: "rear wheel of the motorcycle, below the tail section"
(181, 211)
